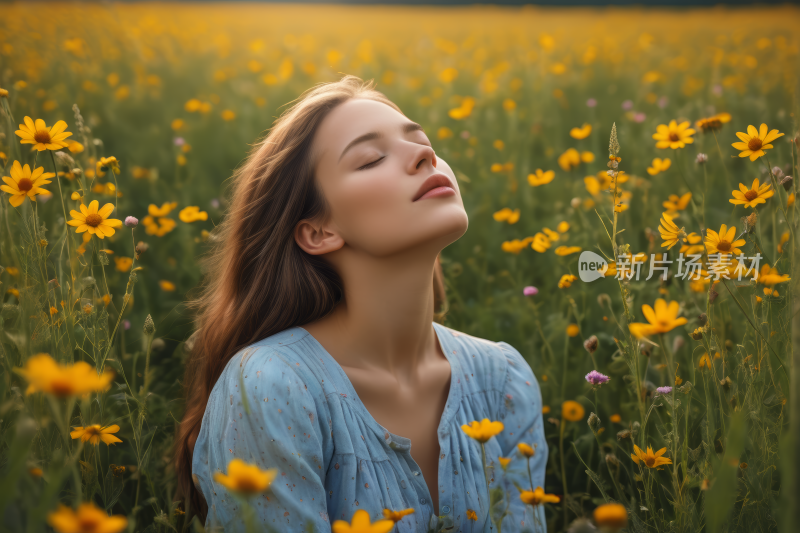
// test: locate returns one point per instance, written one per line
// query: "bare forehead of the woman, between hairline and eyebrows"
(352, 119)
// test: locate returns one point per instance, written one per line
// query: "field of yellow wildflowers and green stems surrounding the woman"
(664, 141)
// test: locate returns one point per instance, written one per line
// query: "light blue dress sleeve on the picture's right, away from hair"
(521, 414)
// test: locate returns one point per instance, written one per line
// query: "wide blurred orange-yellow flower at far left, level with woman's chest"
(44, 374)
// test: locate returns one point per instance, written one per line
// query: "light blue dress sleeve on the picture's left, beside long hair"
(262, 412)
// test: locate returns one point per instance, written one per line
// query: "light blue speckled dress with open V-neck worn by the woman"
(285, 403)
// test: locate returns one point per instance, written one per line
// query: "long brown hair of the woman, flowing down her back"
(258, 281)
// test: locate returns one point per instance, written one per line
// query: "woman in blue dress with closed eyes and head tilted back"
(317, 353)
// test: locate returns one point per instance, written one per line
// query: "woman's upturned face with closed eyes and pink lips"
(371, 163)
